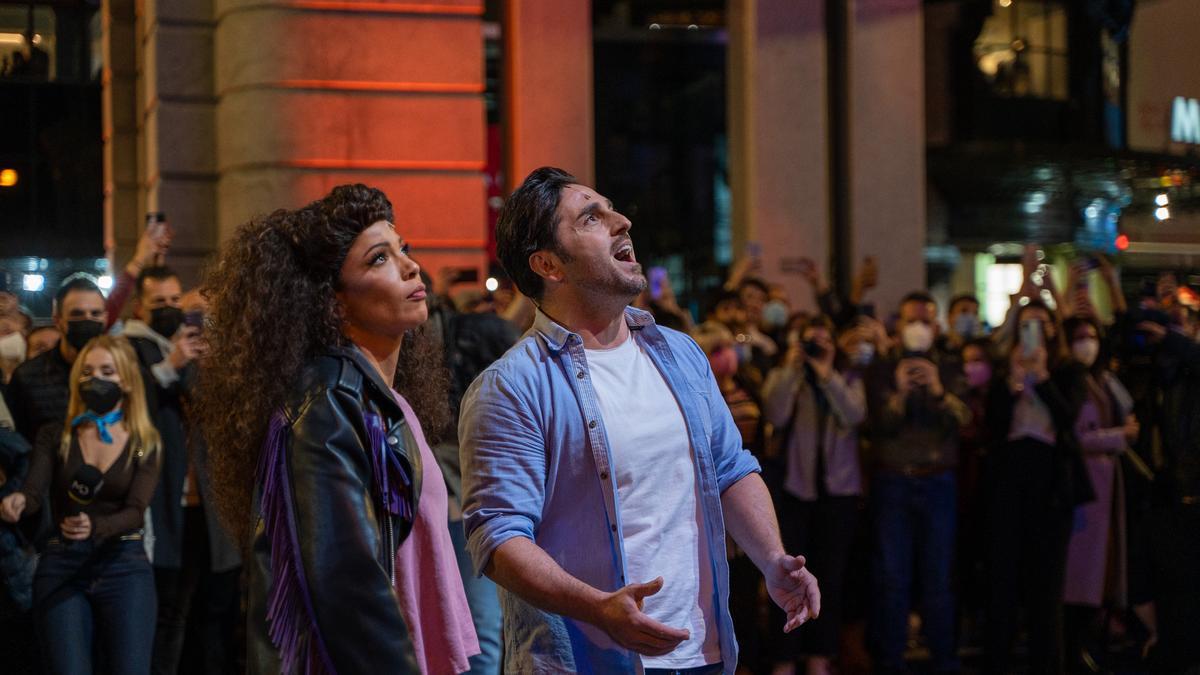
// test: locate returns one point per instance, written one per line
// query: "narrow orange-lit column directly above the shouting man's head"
(548, 88)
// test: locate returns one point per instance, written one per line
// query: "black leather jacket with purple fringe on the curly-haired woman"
(347, 539)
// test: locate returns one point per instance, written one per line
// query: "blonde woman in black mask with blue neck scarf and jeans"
(99, 471)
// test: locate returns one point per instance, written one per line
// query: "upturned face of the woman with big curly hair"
(381, 286)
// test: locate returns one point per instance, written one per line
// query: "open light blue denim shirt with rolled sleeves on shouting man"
(537, 464)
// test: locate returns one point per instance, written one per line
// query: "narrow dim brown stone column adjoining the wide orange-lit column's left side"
(178, 127)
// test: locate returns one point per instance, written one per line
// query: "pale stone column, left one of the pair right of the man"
(778, 112)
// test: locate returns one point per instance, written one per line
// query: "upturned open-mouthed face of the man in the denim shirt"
(597, 254)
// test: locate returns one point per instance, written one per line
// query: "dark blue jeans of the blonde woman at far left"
(82, 590)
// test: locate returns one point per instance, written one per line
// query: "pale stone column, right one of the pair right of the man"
(887, 145)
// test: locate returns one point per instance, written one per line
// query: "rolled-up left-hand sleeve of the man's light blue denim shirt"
(503, 455)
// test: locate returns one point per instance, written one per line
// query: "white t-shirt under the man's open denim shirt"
(659, 499)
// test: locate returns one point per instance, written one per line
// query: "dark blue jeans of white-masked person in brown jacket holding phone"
(915, 521)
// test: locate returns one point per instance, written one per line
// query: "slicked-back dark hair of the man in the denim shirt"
(529, 224)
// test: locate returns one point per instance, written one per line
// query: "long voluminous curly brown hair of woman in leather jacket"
(273, 309)
